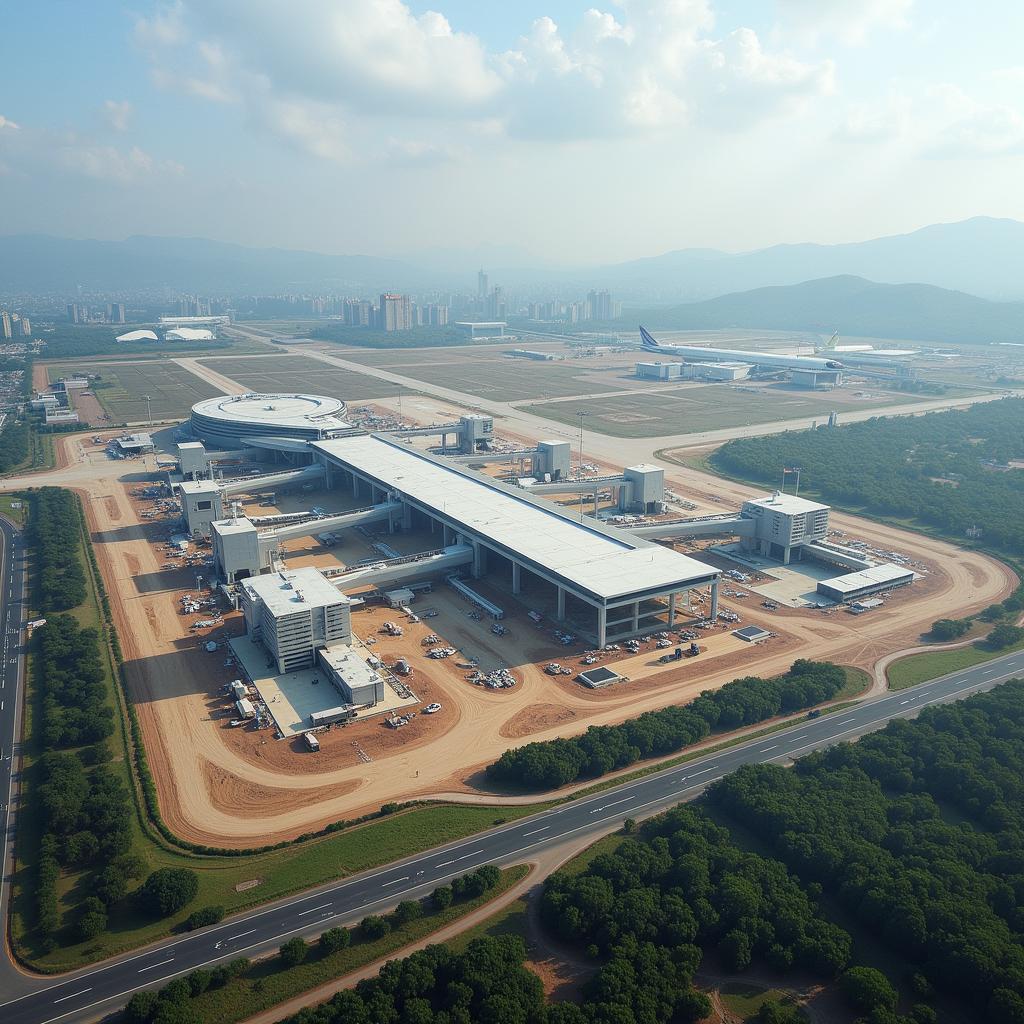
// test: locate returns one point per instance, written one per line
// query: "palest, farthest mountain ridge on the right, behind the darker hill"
(984, 257)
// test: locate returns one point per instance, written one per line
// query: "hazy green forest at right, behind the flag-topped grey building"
(947, 471)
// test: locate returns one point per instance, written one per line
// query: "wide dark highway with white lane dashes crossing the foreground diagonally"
(88, 994)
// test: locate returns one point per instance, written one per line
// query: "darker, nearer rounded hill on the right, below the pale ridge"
(854, 307)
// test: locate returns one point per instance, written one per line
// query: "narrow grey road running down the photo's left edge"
(13, 605)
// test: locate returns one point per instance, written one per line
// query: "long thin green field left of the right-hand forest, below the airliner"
(695, 410)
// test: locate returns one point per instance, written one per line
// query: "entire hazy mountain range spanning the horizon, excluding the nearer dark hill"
(984, 257)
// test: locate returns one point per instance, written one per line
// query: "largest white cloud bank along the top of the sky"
(318, 71)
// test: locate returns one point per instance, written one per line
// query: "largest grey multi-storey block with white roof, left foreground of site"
(294, 615)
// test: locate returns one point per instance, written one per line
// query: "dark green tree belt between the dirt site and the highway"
(548, 764)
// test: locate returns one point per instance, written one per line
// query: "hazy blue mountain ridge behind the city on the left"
(42, 264)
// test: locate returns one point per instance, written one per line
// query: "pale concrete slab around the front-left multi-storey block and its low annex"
(292, 698)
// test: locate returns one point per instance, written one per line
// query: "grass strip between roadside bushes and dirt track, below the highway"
(269, 983)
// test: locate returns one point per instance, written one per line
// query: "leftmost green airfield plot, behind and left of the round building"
(173, 390)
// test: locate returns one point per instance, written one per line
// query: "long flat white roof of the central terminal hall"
(605, 563)
